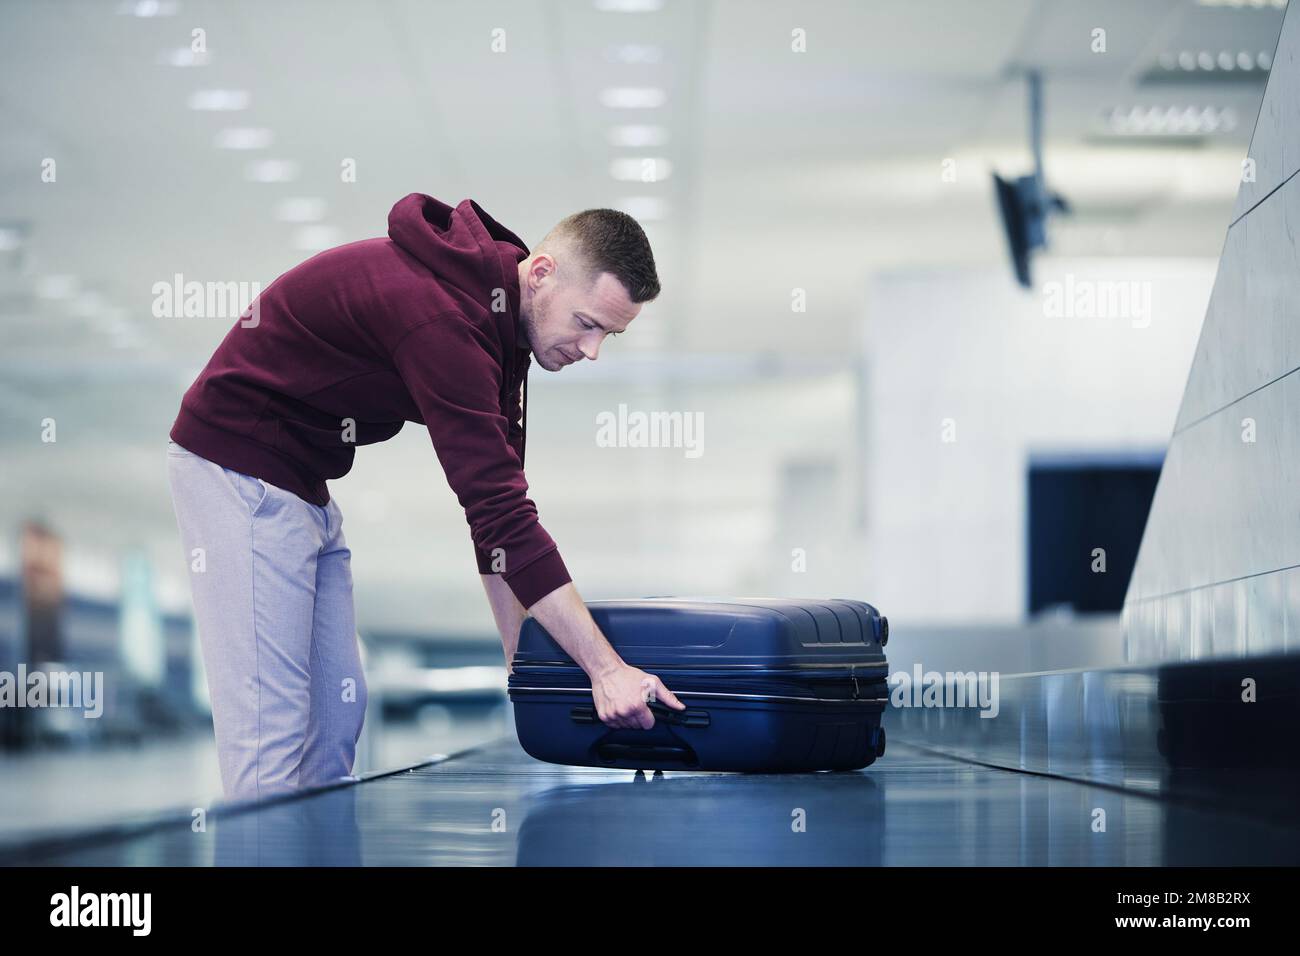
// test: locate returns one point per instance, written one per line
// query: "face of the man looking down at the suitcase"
(565, 319)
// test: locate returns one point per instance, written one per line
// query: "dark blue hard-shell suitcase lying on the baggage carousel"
(770, 686)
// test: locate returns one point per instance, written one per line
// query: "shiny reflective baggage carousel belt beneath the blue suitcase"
(495, 806)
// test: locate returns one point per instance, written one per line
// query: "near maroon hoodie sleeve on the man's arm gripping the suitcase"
(452, 371)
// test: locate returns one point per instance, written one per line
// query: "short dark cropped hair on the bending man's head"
(609, 241)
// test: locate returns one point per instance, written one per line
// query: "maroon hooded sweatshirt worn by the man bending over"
(346, 348)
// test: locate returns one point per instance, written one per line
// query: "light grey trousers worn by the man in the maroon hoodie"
(272, 583)
